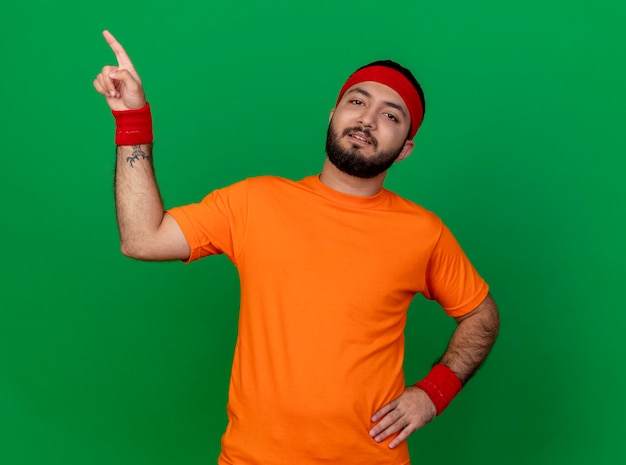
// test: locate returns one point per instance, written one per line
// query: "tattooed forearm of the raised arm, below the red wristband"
(137, 199)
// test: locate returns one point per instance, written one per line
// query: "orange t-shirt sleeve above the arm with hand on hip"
(451, 279)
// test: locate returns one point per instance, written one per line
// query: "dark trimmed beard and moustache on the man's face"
(352, 161)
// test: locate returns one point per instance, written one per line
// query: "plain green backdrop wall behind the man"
(105, 360)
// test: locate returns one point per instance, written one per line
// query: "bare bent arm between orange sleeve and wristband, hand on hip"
(472, 340)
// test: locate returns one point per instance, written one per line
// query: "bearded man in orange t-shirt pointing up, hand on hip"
(328, 267)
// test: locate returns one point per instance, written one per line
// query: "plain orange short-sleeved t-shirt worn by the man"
(326, 280)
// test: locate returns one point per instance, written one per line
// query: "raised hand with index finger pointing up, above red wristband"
(120, 85)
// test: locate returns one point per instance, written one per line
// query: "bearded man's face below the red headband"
(368, 130)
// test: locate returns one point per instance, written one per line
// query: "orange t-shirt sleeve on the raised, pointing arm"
(217, 224)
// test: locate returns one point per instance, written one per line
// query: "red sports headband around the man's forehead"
(398, 82)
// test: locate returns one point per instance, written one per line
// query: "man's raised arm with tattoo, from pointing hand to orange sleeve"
(146, 231)
